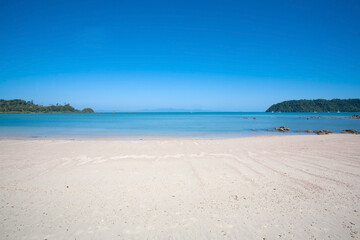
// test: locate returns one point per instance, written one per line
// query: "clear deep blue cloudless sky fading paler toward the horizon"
(178, 55)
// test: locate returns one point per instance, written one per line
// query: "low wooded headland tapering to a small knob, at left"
(22, 106)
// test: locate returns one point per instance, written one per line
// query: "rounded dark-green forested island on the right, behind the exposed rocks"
(318, 105)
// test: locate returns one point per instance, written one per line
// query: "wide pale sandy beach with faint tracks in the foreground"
(283, 187)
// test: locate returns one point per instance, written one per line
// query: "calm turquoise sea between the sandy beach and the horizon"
(167, 125)
